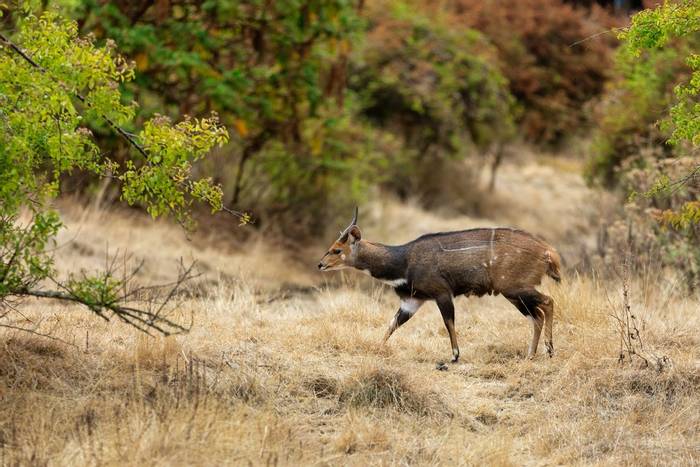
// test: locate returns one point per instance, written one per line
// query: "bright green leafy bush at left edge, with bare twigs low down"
(54, 86)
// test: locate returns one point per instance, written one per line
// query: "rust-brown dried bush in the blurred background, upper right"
(552, 55)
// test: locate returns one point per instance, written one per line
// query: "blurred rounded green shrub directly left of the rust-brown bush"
(433, 86)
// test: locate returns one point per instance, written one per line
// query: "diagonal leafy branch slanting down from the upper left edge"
(163, 181)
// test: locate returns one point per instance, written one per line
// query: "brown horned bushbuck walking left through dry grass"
(442, 266)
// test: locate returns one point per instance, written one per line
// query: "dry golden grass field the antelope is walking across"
(283, 364)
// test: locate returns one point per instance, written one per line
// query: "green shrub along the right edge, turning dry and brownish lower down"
(656, 69)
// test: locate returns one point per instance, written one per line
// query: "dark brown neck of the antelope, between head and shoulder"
(384, 262)
